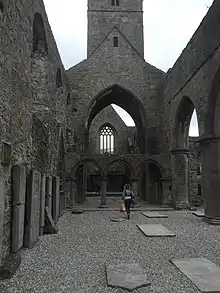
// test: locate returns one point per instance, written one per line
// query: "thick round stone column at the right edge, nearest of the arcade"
(210, 152)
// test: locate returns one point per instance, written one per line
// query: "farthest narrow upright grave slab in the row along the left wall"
(55, 198)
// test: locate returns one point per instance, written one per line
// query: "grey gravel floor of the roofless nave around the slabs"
(74, 259)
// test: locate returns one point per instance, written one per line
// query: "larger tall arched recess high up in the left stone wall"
(40, 46)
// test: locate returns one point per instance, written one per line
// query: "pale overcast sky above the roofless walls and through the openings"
(168, 26)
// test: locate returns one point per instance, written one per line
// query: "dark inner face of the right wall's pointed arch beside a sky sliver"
(182, 123)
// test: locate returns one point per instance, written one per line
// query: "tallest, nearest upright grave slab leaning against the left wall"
(18, 207)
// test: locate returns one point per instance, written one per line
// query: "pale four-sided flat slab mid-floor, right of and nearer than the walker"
(155, 230)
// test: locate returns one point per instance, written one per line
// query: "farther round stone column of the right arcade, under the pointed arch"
(180, 170)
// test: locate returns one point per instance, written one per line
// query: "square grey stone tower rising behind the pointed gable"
(125, 15)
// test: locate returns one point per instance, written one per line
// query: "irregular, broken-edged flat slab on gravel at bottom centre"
(126, 276)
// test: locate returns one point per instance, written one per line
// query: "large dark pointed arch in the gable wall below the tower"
(125, 99)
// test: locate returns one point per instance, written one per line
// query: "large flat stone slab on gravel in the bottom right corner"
(202, 272)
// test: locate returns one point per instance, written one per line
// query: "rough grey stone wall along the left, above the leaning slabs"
(27, 87)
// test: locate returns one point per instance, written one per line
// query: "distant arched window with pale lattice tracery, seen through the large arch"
(107, 140)
